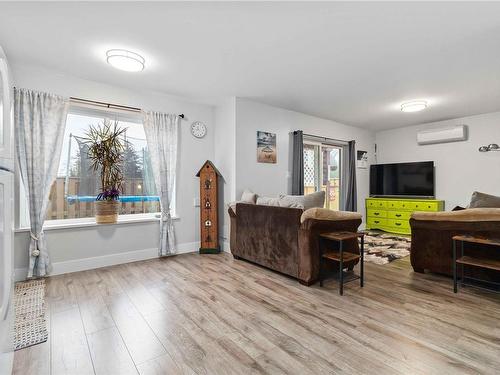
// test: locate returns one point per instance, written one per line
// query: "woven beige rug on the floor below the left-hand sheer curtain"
(29, 304)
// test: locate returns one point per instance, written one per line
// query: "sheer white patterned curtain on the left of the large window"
(40, 119)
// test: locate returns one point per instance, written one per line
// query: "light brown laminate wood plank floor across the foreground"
(210, 314)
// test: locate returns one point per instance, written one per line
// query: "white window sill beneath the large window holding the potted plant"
(90, 222)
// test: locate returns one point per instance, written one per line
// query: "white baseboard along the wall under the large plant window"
(83, 264)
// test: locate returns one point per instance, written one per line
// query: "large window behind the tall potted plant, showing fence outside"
(76, 186)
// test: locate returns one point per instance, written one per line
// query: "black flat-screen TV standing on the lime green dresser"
(402, 179)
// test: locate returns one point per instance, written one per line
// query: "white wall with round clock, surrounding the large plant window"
(70, 245)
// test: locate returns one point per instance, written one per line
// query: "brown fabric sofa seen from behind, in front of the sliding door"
(275, 237)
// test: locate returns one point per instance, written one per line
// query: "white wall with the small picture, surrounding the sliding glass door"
(275, 179)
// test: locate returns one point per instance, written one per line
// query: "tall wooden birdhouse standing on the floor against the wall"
(209, 213)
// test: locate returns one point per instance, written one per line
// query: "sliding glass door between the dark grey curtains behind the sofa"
(323, 172)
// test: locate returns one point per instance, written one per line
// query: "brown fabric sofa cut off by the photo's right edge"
(431, 246)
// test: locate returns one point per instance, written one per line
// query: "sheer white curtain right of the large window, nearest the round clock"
(162, 136)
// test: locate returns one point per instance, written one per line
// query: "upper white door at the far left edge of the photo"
(5, 115)
